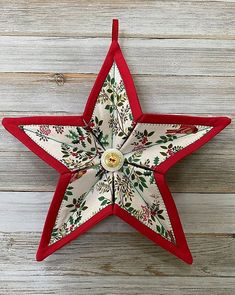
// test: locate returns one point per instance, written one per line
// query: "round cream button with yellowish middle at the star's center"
(112, 160)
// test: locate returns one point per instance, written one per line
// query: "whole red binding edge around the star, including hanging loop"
(114, 54)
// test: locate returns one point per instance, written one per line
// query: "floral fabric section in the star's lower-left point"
(88, 192)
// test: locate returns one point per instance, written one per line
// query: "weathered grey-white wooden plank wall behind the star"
(182, 56)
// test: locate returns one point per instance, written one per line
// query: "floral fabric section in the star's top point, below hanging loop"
(112, 119)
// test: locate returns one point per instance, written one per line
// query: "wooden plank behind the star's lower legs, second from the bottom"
(200, 213)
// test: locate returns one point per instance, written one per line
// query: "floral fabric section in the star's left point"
(73, 146)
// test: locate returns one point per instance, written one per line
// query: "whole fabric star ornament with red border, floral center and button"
(113, 160)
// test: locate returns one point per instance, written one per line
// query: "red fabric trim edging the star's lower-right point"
(181, 249)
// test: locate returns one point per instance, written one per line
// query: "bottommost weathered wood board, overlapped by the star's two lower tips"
(129, 260)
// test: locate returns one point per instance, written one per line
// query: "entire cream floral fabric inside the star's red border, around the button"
(144, 146)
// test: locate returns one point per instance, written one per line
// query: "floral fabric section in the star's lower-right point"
(144, 200)
